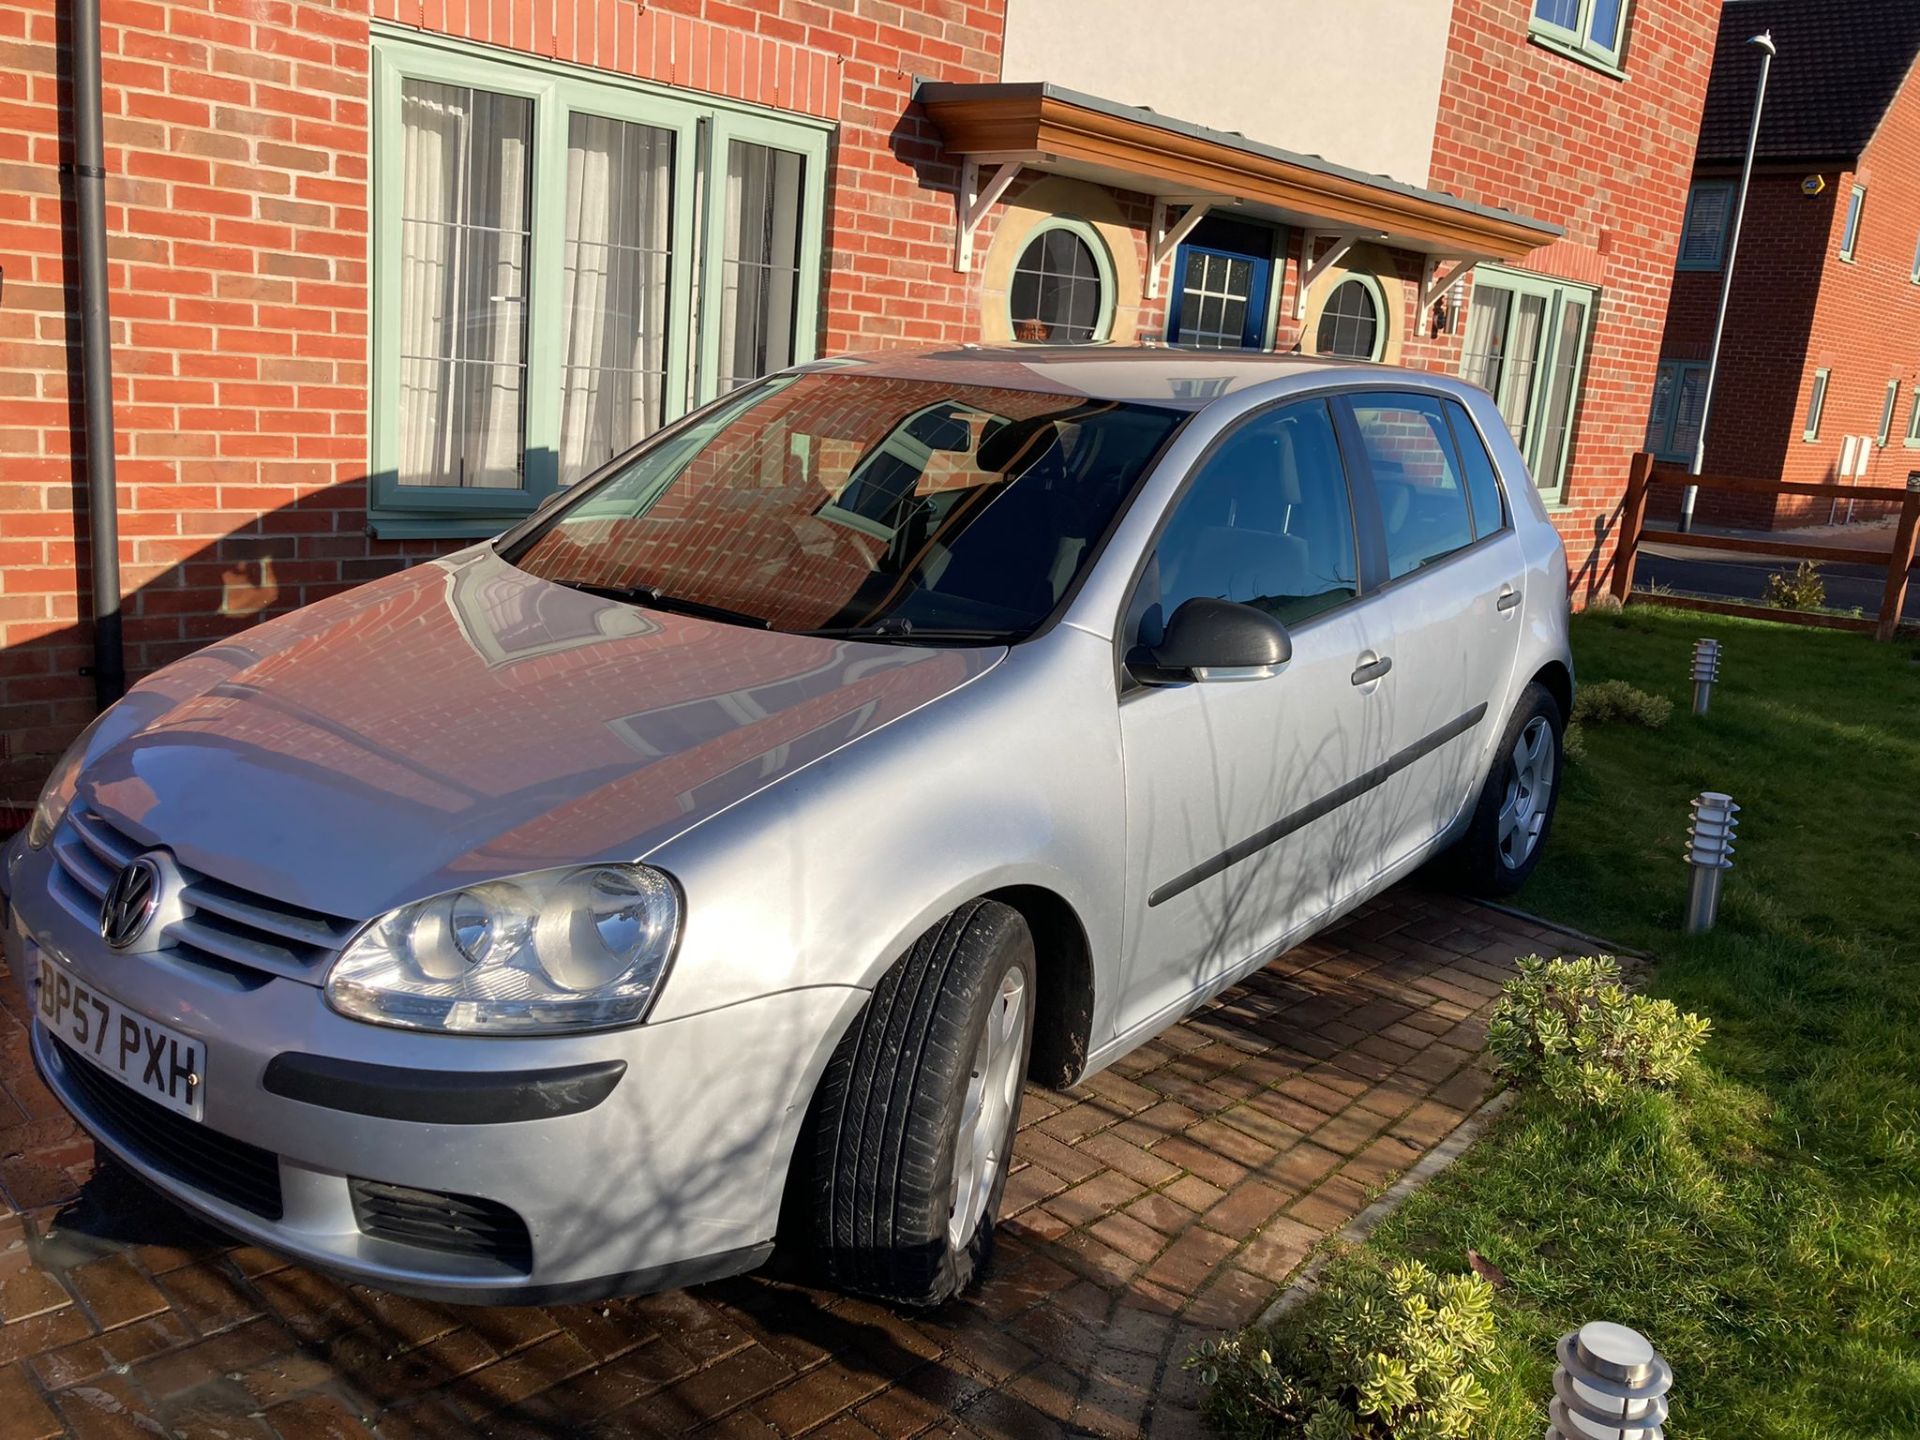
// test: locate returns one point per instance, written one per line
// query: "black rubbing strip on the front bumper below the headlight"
(435, 1097)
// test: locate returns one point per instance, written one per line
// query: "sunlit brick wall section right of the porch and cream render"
(1610, 160)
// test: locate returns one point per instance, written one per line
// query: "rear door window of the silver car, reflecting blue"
(1424, 502)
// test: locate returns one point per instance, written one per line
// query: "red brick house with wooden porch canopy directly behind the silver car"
(387, 276)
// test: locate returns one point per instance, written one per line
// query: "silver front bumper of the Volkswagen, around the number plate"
(675, 1176)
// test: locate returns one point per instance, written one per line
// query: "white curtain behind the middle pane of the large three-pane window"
(619, 185)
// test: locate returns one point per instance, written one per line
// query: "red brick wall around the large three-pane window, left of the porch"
(237, 210)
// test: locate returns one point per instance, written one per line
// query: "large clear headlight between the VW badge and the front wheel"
(535, 955)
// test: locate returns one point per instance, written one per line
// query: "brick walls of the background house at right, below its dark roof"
(1798, 308)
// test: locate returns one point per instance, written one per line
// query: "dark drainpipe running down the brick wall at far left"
(97, 356)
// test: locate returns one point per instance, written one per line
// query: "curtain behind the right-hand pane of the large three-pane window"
(761, 264)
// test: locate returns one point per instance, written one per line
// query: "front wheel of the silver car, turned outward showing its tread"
(888, 1218)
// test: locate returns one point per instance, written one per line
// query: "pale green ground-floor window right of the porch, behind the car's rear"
(1539, 391)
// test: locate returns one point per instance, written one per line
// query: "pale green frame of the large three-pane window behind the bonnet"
(702, 132)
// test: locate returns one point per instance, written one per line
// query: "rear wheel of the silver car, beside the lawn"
(1489, 855)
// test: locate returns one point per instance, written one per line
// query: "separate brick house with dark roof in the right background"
(1821, 362)
